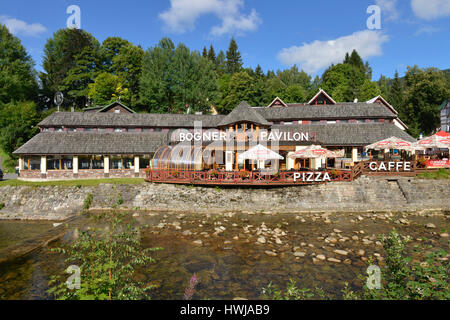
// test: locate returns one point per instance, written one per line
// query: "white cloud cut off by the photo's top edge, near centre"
(182, 15)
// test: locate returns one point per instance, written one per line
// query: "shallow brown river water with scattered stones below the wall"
(231, 263)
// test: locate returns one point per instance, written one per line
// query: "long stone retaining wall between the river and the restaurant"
(363, 194)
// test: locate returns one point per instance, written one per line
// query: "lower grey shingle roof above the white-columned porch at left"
(93, 143)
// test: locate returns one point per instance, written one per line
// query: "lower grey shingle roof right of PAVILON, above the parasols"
(351, 134)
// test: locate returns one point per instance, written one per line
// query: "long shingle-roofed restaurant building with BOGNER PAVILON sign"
(114, 141)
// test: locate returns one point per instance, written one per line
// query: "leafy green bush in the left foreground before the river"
(108, 259)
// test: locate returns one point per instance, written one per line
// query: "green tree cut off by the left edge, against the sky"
(17, 75)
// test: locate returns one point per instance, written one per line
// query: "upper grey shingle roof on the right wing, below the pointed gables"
(327, 112)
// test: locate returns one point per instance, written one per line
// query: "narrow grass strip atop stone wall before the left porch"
(72, 183)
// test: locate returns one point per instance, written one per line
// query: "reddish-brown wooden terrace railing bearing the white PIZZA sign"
(247, 177)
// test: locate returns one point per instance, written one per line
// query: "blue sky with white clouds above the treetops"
(274, 34)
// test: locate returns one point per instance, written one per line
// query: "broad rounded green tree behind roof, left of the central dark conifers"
(176, 78)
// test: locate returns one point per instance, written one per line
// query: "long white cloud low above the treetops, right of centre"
(317, 55)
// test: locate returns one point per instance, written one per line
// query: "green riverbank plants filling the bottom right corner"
(401, 279)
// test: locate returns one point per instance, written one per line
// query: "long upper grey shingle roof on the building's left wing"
(86, 119)
